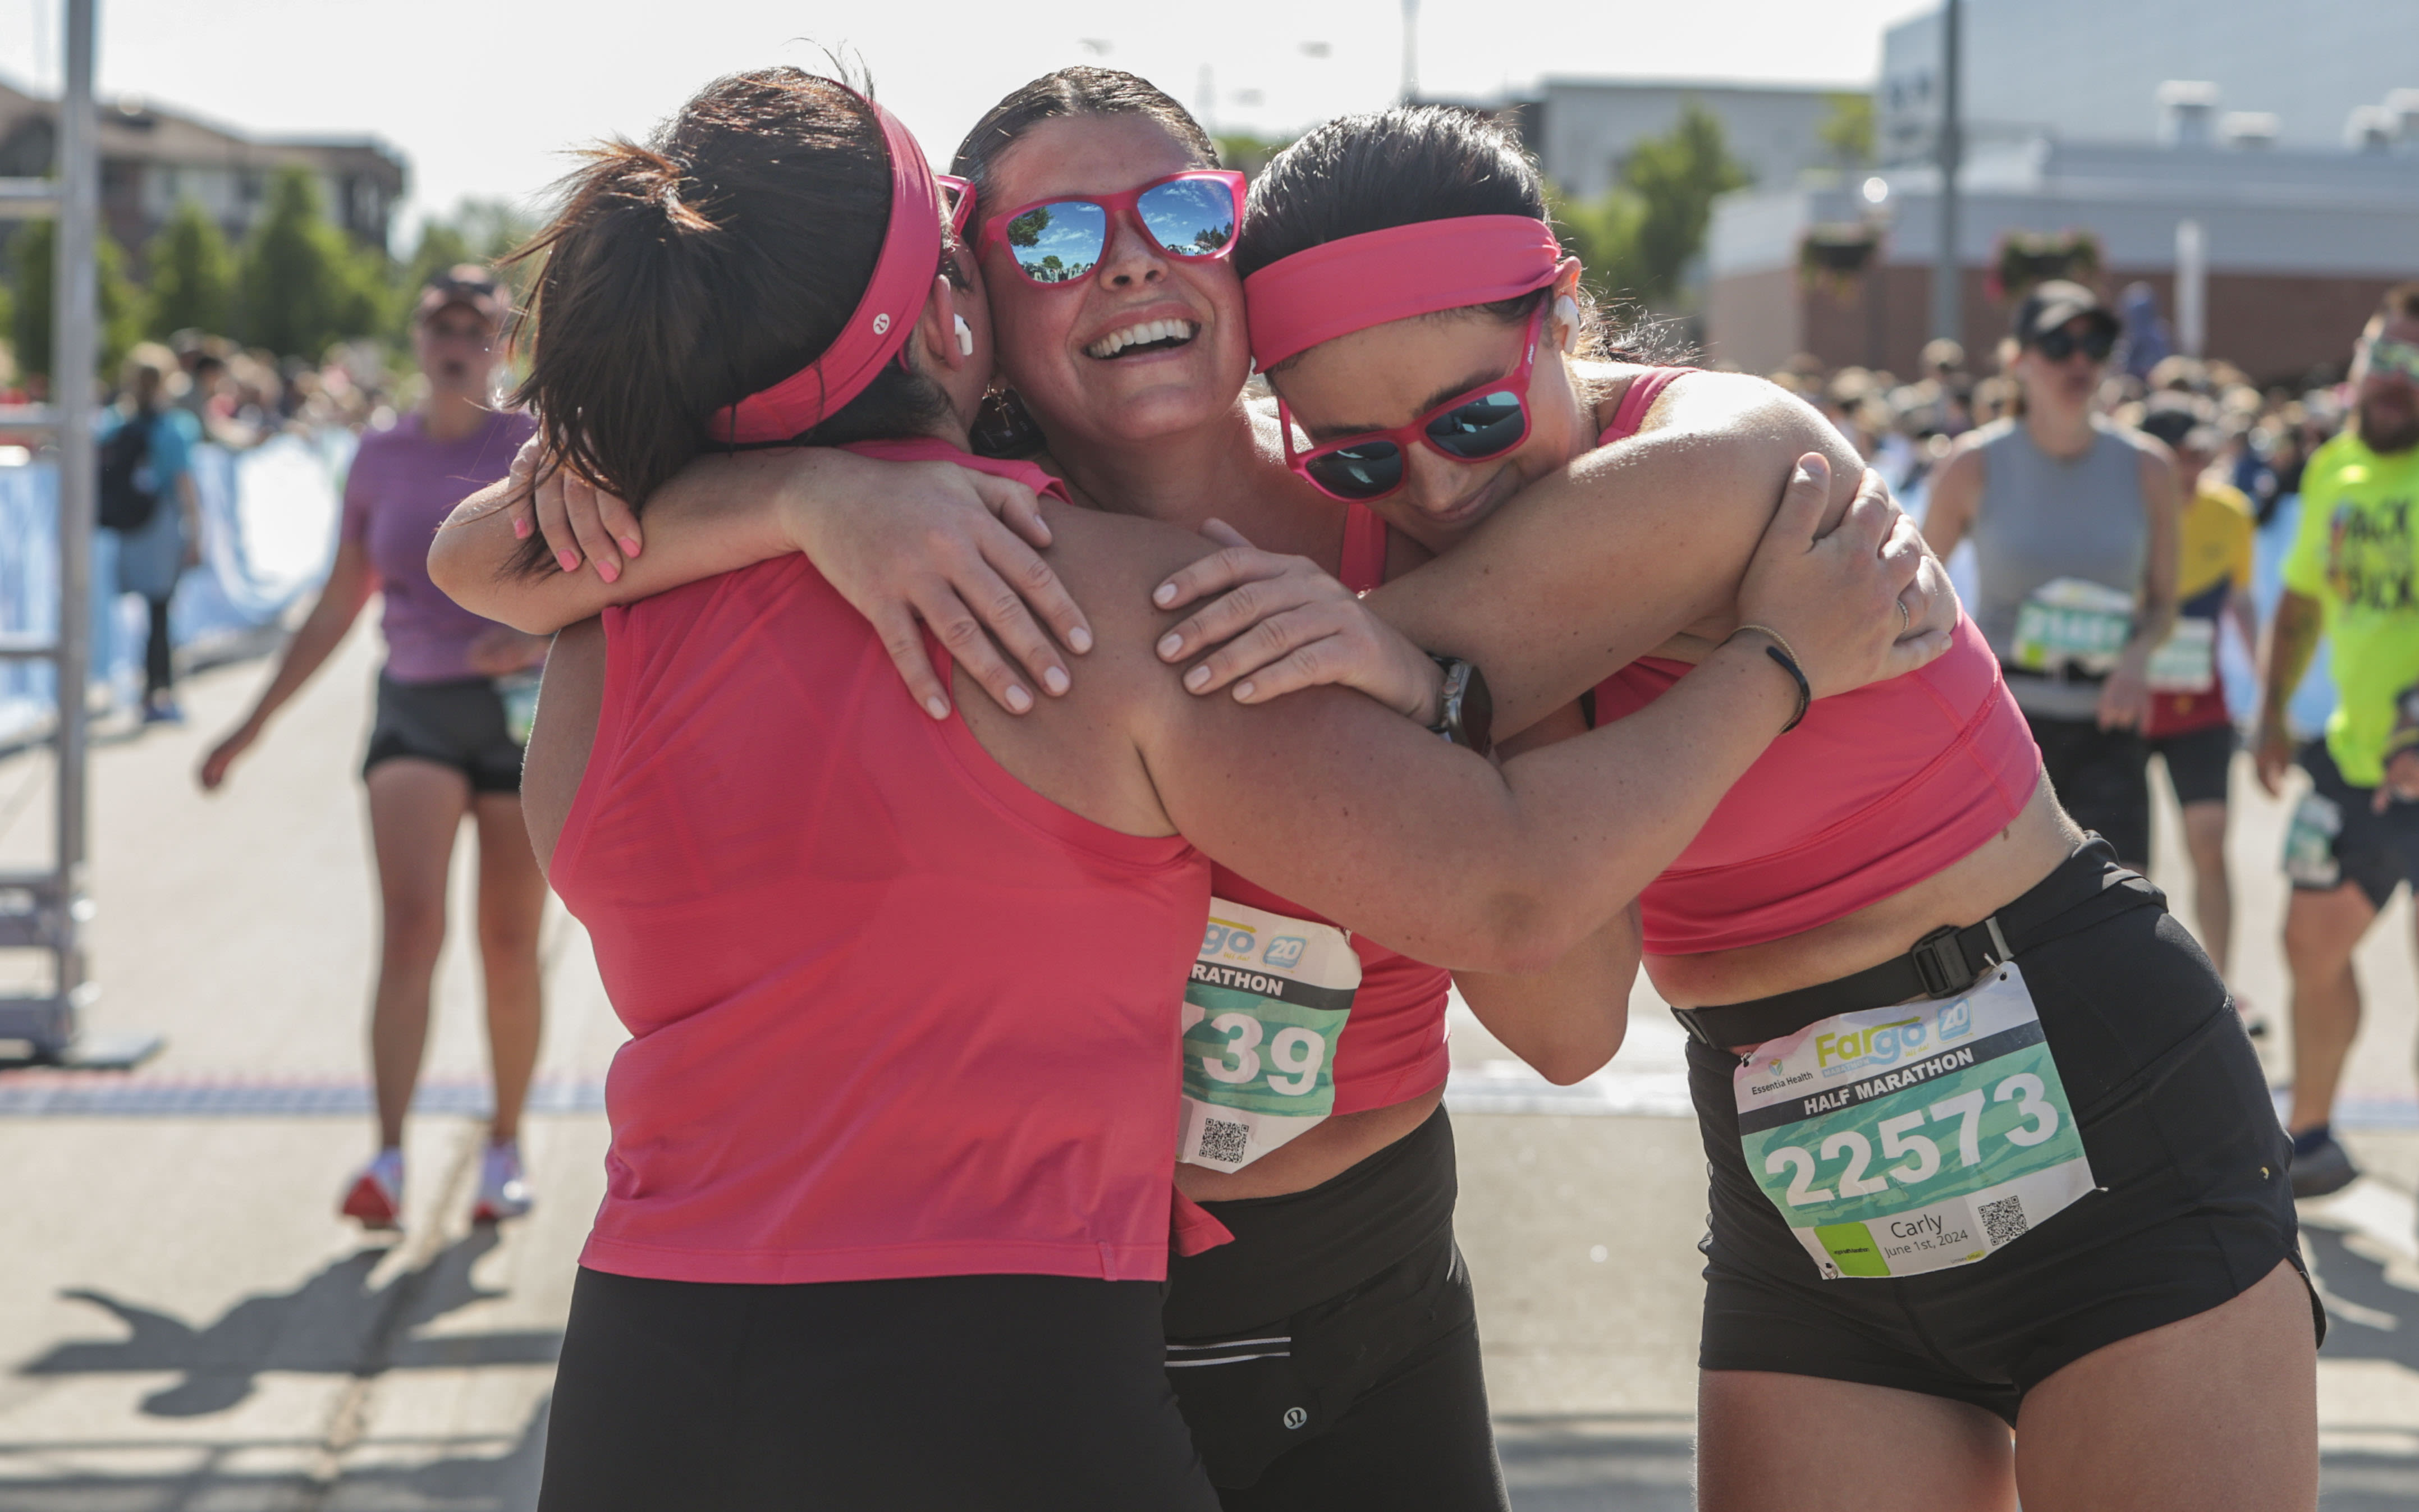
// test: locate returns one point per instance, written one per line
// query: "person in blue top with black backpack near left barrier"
(146, 500)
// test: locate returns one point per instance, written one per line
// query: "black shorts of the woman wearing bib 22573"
(2195, 1201)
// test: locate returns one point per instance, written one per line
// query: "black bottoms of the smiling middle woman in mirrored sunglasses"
(1329, 1356)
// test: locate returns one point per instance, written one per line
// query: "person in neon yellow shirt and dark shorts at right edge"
(2352, 575)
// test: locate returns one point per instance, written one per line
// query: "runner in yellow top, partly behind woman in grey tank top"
(2190, 722)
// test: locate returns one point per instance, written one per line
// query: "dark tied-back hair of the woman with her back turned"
(703, 267)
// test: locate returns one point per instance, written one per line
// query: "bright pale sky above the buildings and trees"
(485, 96)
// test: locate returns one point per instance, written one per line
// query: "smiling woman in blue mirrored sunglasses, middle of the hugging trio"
(1121, 330)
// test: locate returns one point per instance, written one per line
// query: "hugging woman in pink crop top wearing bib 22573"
(1987, 1143)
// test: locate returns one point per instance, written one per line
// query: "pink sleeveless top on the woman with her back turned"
(891, 1010)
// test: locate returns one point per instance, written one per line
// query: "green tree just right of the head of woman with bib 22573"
(1641, 236)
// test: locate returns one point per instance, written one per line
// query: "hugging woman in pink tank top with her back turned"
(889, 1179)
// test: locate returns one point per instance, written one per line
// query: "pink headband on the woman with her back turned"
(884, 316)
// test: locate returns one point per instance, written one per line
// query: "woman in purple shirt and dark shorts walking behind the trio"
(454, 712)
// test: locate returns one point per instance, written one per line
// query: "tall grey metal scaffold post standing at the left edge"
(50, 911)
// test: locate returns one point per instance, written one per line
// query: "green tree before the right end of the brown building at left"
(304, 282)
